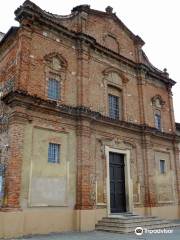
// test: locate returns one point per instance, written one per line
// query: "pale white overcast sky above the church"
(155, 21)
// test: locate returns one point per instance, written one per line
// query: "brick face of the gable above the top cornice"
(100, 27)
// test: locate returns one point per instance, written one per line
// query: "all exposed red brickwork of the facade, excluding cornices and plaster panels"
(85, 83)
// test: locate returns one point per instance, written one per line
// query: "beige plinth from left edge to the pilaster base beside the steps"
(36, 221)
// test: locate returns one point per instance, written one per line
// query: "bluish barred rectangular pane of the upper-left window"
(53, 89)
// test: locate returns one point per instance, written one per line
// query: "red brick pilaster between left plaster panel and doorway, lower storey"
(85, 169)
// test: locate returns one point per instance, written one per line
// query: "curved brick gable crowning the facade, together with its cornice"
(107, 22)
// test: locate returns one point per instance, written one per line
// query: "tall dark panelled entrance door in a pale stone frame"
(117, 183)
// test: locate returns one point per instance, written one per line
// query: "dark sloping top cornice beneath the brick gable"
(34, 14)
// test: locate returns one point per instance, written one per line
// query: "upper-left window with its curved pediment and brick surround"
(55, 70)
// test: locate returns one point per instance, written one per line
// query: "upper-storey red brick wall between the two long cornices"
(85, 70)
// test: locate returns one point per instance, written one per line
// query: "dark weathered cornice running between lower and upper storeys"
(20, 98)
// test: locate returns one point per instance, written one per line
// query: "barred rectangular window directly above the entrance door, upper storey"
(113, 106)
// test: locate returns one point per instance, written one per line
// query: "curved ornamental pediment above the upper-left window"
(55, 61)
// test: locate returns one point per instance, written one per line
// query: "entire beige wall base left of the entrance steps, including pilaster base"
(47, 220)
